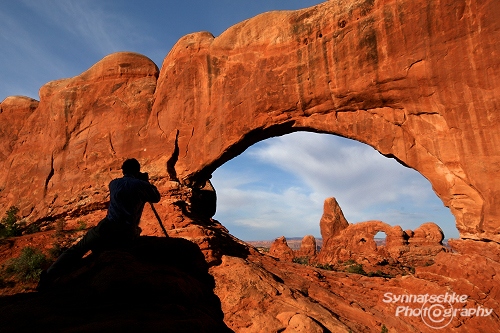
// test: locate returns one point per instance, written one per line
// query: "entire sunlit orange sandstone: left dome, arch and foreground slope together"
(416, 80)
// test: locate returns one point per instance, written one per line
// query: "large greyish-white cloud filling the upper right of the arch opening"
(352, 172)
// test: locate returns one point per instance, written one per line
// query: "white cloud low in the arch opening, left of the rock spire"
(251, 212)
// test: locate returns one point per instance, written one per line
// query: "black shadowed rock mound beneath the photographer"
(161, 285)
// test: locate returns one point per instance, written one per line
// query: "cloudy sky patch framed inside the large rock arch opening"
(278, 186)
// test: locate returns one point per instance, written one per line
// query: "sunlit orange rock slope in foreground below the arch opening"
(260, 293)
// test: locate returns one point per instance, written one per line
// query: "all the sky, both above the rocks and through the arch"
(276, 187)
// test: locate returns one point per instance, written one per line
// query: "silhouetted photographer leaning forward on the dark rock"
(119, 228)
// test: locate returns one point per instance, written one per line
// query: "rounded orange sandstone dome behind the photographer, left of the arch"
(68, 147)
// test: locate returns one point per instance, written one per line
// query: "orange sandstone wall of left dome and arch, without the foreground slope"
(417, 80)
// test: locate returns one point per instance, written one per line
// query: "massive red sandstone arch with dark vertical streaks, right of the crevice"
(413, 79)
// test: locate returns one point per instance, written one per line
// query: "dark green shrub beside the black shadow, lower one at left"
(28, 266)
